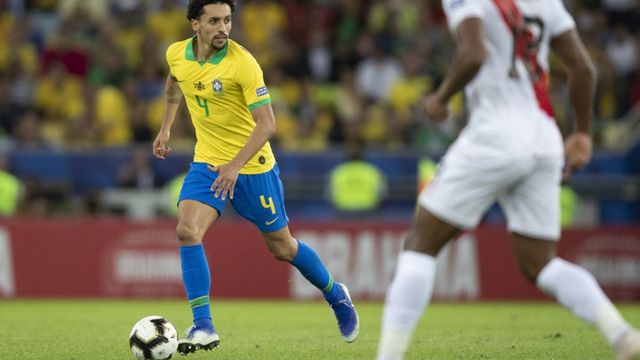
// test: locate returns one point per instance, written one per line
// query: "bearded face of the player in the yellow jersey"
(214, 26)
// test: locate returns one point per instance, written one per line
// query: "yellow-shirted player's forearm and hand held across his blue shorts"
(228, 173)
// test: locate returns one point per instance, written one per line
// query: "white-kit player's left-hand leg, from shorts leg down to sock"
(464, 187)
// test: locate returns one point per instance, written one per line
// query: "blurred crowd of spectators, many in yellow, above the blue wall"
(83, 74)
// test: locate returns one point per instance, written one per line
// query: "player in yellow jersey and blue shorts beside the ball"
(230, 107)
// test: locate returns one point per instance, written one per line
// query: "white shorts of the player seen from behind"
(527, 186)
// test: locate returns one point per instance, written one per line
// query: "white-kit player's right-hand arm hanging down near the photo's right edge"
(582, 79)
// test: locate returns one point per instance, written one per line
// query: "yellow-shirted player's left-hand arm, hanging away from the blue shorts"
(172, 97)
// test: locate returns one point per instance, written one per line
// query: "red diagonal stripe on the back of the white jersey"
(526, 49)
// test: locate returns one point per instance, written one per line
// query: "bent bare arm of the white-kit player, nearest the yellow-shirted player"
(467, 61)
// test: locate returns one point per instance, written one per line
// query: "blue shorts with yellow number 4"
(258, 198)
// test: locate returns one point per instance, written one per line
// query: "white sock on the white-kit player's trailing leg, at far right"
(576, 289)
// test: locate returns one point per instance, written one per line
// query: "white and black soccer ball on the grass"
(153, 338)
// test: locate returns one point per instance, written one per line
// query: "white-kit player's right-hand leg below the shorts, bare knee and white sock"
(577, 290)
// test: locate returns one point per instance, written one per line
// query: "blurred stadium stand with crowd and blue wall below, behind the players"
(81, 85)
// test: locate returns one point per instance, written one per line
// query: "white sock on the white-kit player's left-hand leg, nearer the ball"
(407, 297)
